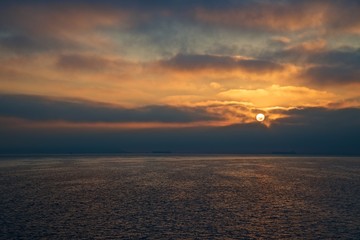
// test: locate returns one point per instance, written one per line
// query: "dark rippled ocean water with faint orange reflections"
(179, 197)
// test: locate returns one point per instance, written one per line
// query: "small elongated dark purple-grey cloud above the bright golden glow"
(199, 62)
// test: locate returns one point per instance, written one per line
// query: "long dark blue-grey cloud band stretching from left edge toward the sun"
(45, 109)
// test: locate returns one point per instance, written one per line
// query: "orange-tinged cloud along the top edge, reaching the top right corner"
(281, 16)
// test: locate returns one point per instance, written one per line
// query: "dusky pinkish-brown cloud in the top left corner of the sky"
(50, 26)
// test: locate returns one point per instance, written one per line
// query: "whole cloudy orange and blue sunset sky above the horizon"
(184, 76)
